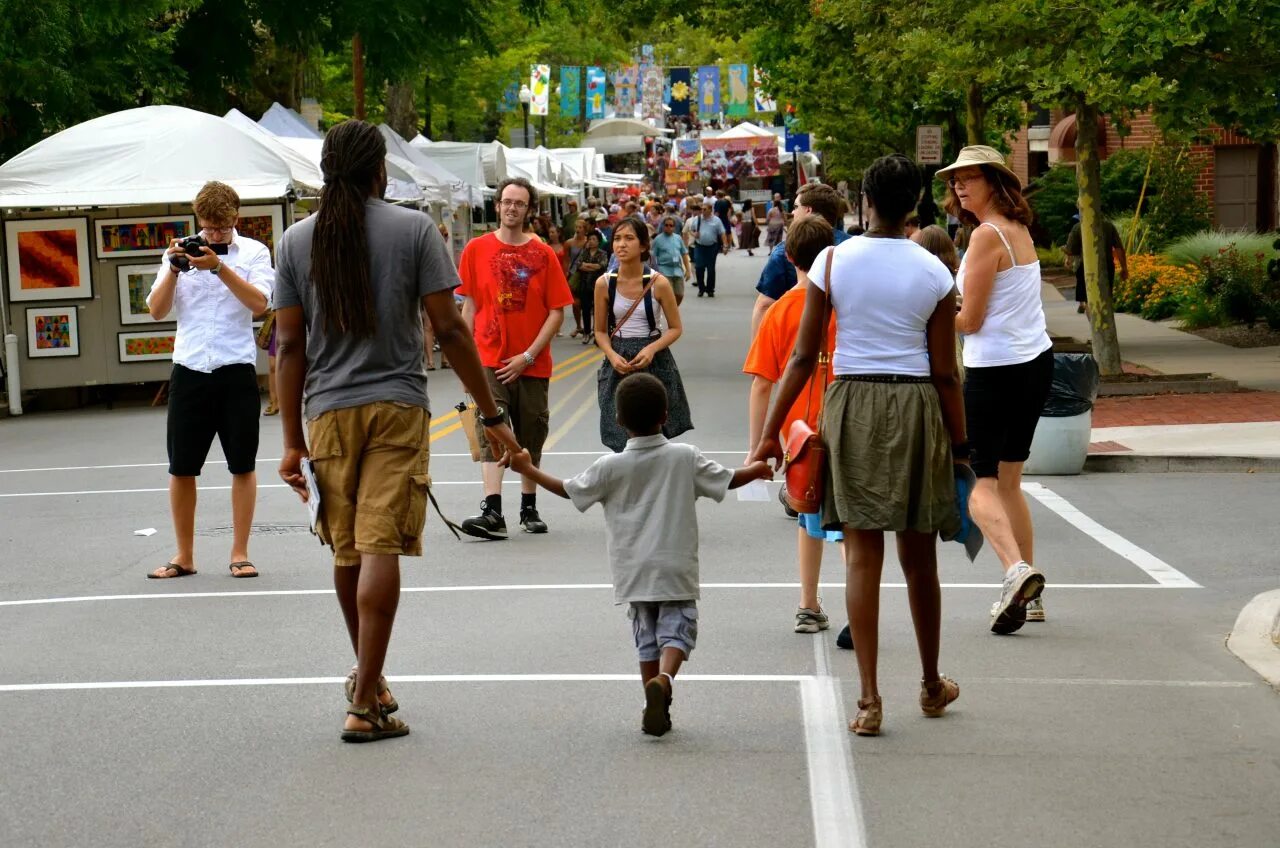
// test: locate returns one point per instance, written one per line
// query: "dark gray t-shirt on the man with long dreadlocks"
(408, 261)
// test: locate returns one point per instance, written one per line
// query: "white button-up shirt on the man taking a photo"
(214, 329)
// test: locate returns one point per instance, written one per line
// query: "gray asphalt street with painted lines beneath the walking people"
(207, 712)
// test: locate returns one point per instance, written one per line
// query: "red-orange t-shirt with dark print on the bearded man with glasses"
(515, 288)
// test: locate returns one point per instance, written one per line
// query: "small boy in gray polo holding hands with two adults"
(648, 493)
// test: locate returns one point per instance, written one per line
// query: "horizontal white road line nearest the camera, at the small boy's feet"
(400, 678)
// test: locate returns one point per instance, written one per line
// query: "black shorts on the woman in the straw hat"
(1003, 405)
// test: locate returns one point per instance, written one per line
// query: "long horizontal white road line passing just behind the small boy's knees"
(527, 587)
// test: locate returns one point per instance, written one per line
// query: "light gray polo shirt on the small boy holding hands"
(651, 527)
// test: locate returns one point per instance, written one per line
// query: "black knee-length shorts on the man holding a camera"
(223, 404)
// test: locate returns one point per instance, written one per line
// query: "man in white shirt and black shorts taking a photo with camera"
(213, 390)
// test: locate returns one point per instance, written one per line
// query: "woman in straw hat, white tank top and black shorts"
(1009, 364)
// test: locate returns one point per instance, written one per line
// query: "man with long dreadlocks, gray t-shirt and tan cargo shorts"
(354, 284)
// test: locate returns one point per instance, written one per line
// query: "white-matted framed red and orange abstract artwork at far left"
(48, 259)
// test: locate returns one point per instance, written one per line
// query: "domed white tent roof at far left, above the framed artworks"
(149, 156)
